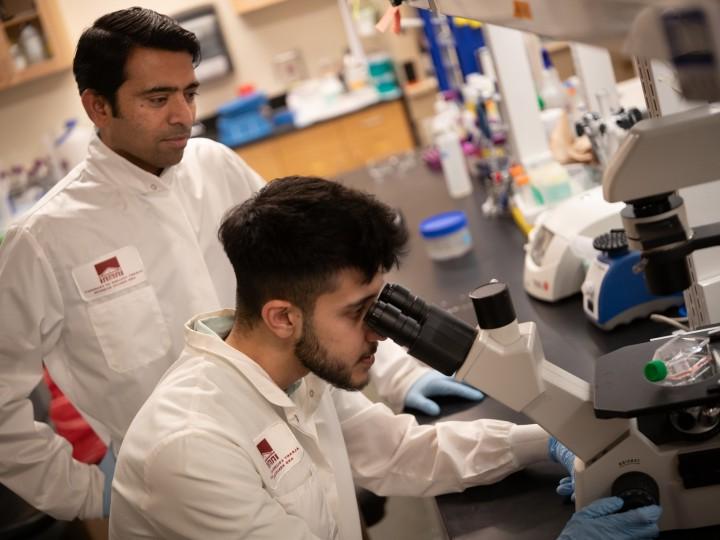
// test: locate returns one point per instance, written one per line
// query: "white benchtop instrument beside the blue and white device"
(559, 247)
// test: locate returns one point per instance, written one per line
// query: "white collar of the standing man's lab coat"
(110, 166)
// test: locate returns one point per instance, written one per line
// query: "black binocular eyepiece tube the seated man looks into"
(429, 333)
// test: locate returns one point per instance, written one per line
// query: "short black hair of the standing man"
(103, 49)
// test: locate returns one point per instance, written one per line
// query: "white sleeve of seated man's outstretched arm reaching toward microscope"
(393, 455)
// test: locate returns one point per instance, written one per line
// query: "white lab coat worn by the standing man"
(107, 345)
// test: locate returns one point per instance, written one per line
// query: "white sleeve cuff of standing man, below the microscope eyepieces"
(394, 372)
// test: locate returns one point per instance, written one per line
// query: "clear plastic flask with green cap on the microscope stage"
(682, 360)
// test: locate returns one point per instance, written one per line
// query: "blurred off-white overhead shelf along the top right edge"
(683, 32)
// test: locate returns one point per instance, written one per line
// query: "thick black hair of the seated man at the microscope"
(291, 239)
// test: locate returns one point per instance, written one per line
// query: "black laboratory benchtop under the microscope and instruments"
(524, 506)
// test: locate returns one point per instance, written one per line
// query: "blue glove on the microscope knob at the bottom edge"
(598, 521)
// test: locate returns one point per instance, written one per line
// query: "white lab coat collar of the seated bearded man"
(310, 389)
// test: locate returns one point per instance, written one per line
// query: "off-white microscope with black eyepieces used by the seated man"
(632, 437)
